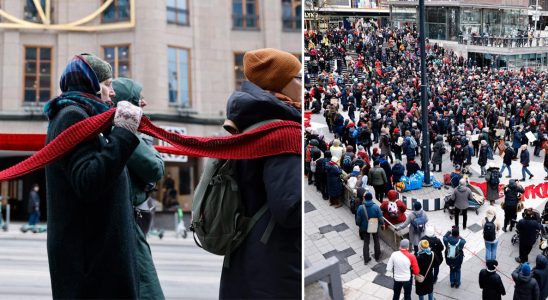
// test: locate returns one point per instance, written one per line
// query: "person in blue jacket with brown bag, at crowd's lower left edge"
(373, 211)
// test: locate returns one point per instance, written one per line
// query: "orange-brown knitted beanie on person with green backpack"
(271, 69)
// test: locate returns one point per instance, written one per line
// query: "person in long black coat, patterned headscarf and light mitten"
(91, 227)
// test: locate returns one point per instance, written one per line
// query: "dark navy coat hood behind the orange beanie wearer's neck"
(252, 105)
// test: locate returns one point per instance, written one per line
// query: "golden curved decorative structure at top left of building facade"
(45, 17)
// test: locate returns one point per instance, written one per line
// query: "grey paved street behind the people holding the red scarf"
(185, 271)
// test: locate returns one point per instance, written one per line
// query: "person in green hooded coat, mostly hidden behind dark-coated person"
(145, 167)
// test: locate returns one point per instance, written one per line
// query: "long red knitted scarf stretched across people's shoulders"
(276, 138)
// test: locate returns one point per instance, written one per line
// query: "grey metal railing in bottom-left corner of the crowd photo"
(327, 269)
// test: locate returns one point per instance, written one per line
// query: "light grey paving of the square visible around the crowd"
(332, 232)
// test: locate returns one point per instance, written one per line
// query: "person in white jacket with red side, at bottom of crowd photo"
(400, 265)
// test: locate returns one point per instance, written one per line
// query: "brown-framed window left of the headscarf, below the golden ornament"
(37, 73)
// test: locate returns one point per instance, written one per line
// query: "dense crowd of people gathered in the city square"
(372, 74)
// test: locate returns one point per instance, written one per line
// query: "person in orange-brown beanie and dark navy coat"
(272, 91)
